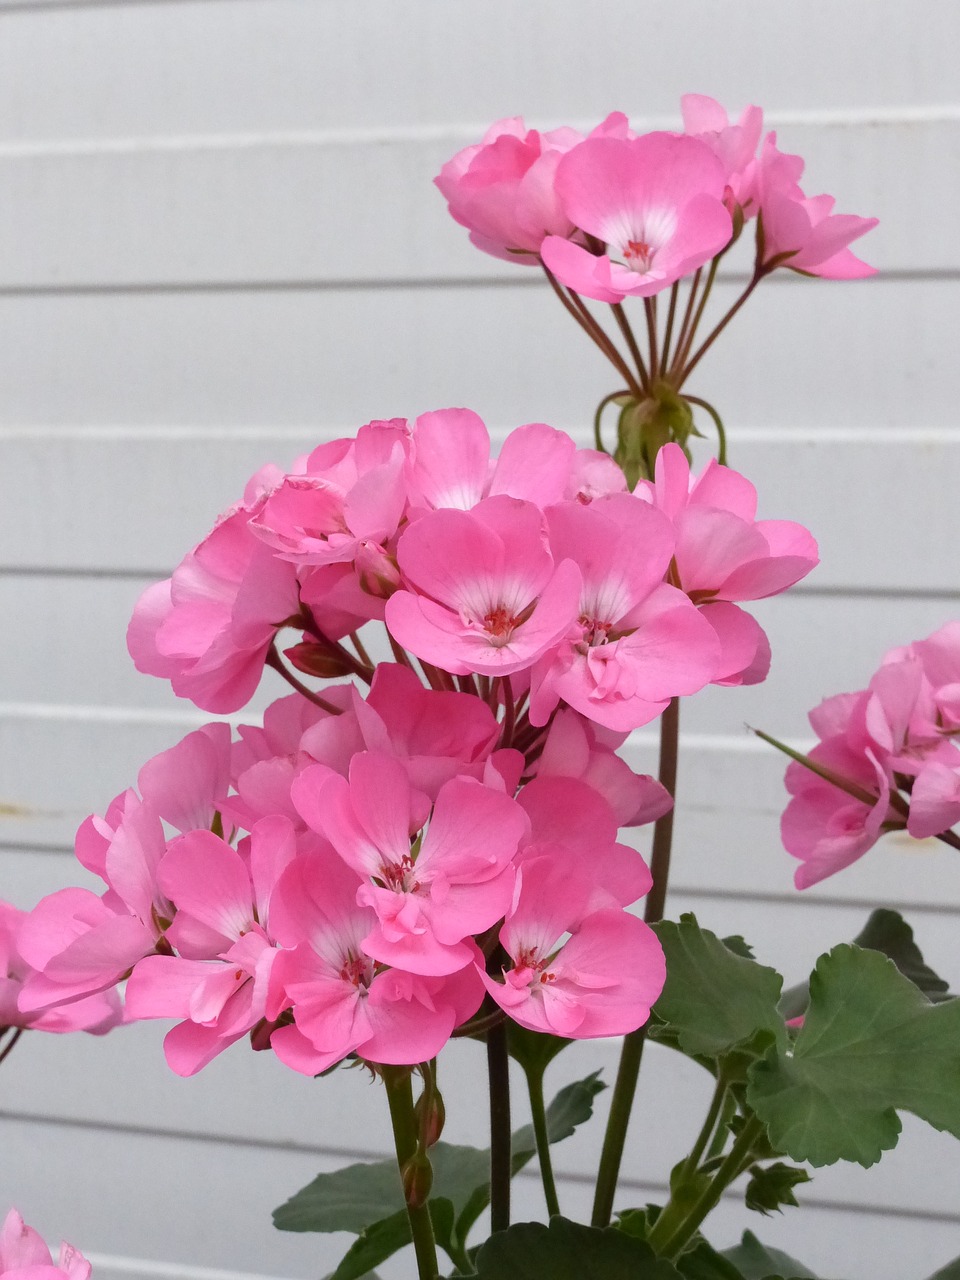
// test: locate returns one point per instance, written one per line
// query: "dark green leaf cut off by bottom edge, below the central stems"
(568, 1251)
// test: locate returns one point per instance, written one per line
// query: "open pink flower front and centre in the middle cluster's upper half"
(483, 592)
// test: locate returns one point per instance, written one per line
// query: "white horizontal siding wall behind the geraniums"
(220, 245)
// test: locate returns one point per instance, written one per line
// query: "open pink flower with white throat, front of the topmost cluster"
(655, 203)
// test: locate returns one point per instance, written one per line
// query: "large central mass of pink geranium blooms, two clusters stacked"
(356, 875)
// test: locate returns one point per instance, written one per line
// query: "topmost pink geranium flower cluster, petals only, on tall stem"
(614, 214)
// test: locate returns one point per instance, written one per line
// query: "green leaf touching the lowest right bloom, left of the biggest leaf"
(715, 1000)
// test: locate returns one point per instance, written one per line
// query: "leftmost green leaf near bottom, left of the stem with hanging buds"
(349, 1200)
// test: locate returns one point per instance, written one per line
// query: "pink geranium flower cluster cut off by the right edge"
(888, 761)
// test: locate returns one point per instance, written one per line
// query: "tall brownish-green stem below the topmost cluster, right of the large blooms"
(625, 1087)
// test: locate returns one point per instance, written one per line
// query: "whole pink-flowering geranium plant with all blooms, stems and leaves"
(422, 839)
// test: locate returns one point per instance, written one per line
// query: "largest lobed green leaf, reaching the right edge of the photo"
(871, 1045)
